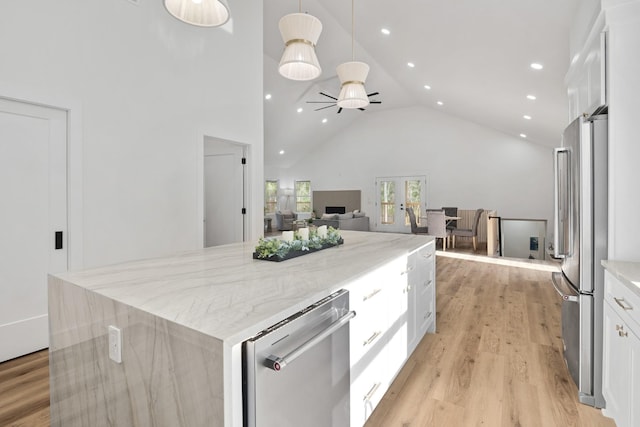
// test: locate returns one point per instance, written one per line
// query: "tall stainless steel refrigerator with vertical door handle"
(580, 240)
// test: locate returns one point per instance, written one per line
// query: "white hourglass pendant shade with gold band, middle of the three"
(300, 33)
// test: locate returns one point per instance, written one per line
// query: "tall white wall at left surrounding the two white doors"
(143, 90)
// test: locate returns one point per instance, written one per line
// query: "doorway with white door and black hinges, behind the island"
(224, 192)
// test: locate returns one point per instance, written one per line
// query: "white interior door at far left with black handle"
(33, 141)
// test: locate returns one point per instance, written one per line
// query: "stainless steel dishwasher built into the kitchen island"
(296, 372)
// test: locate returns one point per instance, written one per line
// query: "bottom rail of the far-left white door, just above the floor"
(23, 337)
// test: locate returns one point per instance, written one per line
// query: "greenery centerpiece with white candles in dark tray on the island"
(294, 244)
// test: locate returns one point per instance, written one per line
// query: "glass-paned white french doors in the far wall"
(394, 195)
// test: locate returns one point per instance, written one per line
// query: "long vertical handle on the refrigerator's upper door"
(559, 249)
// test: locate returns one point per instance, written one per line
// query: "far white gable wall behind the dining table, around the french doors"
(467, 165)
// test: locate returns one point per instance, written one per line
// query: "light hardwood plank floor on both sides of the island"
(495, 360)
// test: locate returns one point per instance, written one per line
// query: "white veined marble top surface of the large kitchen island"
(224, 293)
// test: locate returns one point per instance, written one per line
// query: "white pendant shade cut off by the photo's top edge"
(203, 13)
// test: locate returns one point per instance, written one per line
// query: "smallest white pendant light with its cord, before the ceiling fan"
(352, 76)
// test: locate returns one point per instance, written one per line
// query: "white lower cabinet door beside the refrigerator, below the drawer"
(616, 364)
